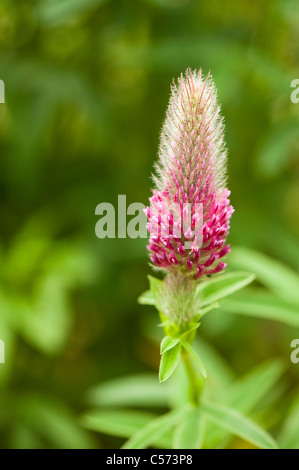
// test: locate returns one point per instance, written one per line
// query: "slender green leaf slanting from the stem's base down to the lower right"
(238, 424)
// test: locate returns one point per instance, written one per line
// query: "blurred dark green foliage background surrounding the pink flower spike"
(86, 87)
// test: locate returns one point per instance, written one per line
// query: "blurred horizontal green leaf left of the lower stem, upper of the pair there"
(132, 390)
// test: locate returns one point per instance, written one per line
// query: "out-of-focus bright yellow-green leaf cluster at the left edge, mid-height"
(43, 318)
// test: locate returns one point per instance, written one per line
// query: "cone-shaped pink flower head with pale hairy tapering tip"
(189, 213)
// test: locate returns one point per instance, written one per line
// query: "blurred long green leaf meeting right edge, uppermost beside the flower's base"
(280, 279)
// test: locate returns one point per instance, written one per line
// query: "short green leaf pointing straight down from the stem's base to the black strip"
(189, 434)
